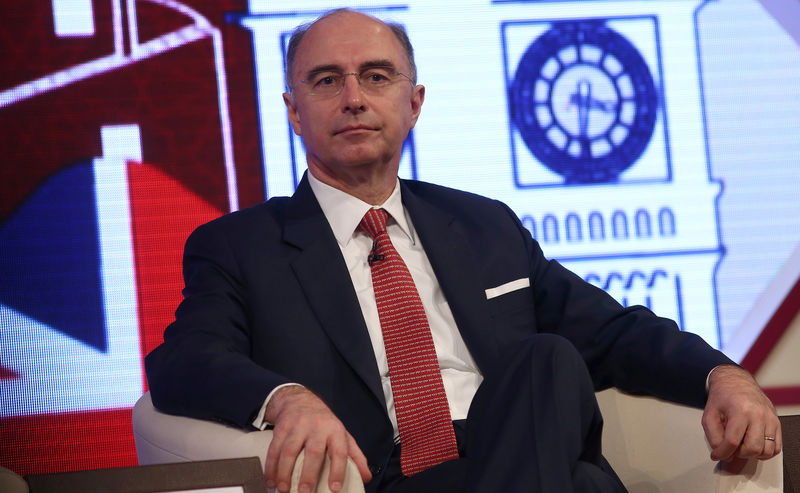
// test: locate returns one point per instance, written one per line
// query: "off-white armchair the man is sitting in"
(655, 447)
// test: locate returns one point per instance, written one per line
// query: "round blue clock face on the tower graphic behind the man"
(584, 101)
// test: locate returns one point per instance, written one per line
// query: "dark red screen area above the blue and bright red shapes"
(172, 97)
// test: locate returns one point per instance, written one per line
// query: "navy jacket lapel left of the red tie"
(323, 275)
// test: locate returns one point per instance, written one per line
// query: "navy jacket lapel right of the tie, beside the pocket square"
(453, 261)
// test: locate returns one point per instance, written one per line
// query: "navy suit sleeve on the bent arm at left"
(203, 368)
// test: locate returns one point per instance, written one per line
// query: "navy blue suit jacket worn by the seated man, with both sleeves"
(268, 300)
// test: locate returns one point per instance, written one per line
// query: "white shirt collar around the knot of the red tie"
(344, 212)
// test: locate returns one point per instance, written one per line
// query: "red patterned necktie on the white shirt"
(423, 416)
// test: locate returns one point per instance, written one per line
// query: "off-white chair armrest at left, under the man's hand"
(163, 438)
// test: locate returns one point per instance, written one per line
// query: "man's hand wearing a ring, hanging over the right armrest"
(738, 417)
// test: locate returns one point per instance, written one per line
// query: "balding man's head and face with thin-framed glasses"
(353, 129)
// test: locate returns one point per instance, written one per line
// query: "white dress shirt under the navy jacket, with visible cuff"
(344, 212)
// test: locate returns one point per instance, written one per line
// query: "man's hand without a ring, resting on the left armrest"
(304, 422)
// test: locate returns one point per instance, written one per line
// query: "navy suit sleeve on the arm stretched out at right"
(625, 347)
